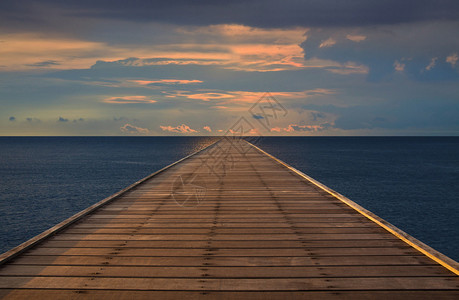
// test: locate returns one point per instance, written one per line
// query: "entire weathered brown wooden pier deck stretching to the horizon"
(242, 226)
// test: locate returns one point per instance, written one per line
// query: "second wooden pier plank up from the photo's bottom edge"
(247, 284)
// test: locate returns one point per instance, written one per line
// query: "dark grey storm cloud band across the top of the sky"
(260, 13)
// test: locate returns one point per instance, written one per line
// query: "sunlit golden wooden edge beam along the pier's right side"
(428, 251)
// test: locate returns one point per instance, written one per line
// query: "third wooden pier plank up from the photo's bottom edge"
(227, 272)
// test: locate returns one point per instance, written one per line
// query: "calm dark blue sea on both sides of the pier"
(411, 182)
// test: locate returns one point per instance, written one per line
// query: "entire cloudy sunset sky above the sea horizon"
(213, 67)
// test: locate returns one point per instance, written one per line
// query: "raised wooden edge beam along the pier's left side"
(7, 256)
